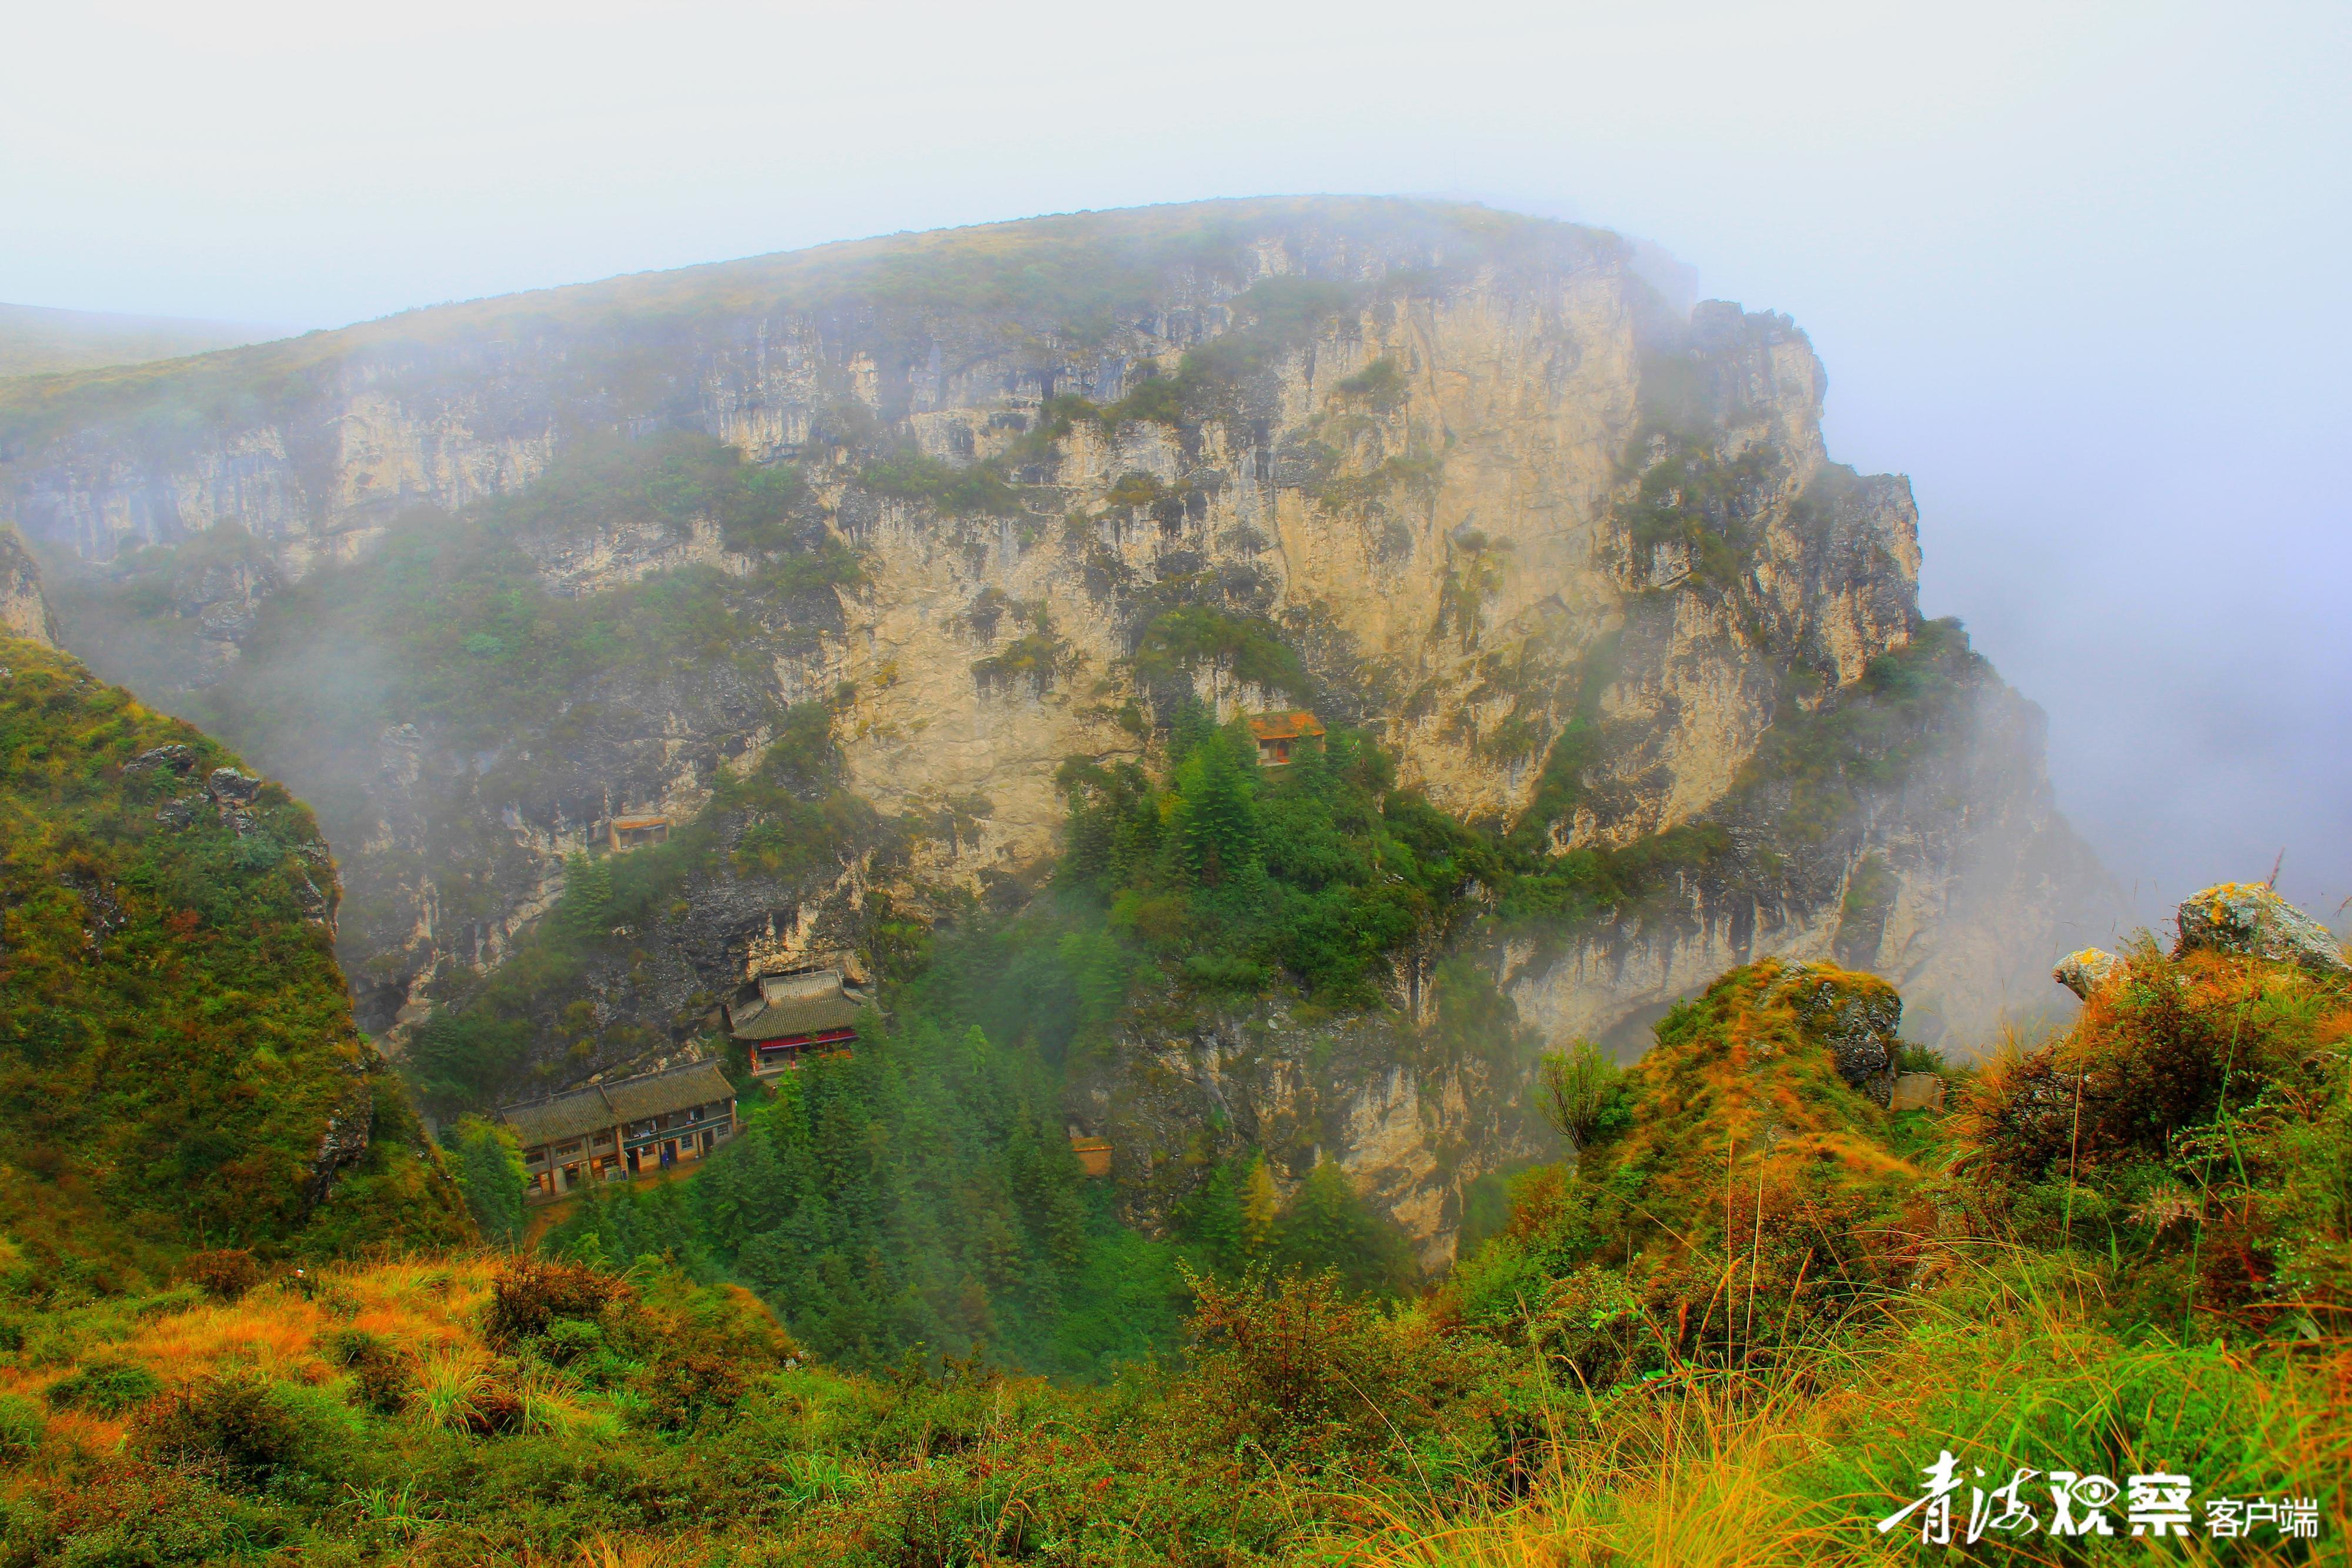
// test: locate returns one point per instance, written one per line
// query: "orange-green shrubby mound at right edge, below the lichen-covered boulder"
(2196, 1125)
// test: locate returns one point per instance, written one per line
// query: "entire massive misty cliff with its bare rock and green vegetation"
(841, 563)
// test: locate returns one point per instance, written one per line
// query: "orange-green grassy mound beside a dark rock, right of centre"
(1732, 1165)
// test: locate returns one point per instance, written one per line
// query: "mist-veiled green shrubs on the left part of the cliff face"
(450, 648)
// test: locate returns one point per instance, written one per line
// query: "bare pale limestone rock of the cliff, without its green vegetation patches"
(1570, 554)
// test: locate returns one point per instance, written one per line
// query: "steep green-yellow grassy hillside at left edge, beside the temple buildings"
(178, 1059)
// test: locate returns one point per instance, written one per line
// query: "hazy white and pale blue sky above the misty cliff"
(2073, 269)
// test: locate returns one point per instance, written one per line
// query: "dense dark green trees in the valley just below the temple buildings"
(918, 1198)
